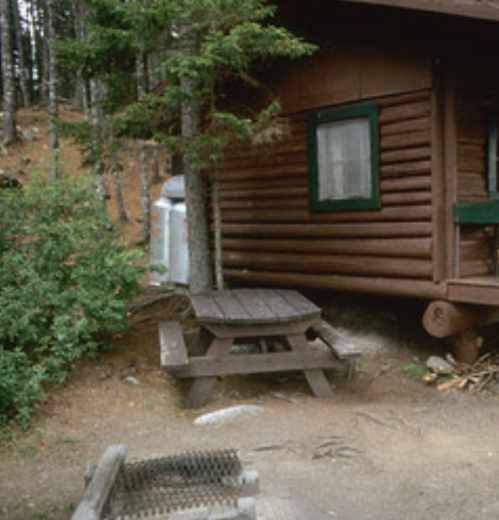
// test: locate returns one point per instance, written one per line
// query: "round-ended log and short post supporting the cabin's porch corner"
(458, 323)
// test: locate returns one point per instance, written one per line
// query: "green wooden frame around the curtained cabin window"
(367, 113)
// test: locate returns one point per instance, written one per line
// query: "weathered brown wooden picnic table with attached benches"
(259, 315)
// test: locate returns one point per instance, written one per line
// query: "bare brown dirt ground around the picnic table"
(385, 447)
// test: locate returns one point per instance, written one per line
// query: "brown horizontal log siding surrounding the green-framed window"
(270, 236)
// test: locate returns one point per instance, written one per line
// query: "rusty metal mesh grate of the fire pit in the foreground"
(160, 486)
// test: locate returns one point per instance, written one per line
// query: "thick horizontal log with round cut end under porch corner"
(443, 319)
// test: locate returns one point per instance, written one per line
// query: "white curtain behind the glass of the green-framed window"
(344, 159)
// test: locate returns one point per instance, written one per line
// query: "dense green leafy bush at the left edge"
(65, 279)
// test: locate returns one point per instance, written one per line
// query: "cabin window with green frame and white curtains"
(343, 158)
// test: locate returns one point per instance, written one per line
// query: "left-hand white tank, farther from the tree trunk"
(160, 239)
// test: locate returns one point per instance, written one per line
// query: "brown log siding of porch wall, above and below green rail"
(471, 164)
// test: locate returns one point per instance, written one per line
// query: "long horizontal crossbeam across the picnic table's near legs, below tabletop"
(258, 364)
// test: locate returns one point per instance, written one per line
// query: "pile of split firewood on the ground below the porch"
(479, 377)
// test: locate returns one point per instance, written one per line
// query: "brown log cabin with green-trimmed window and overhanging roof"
(385, 179)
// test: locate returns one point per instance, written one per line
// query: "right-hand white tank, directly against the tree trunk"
(179, 252)
